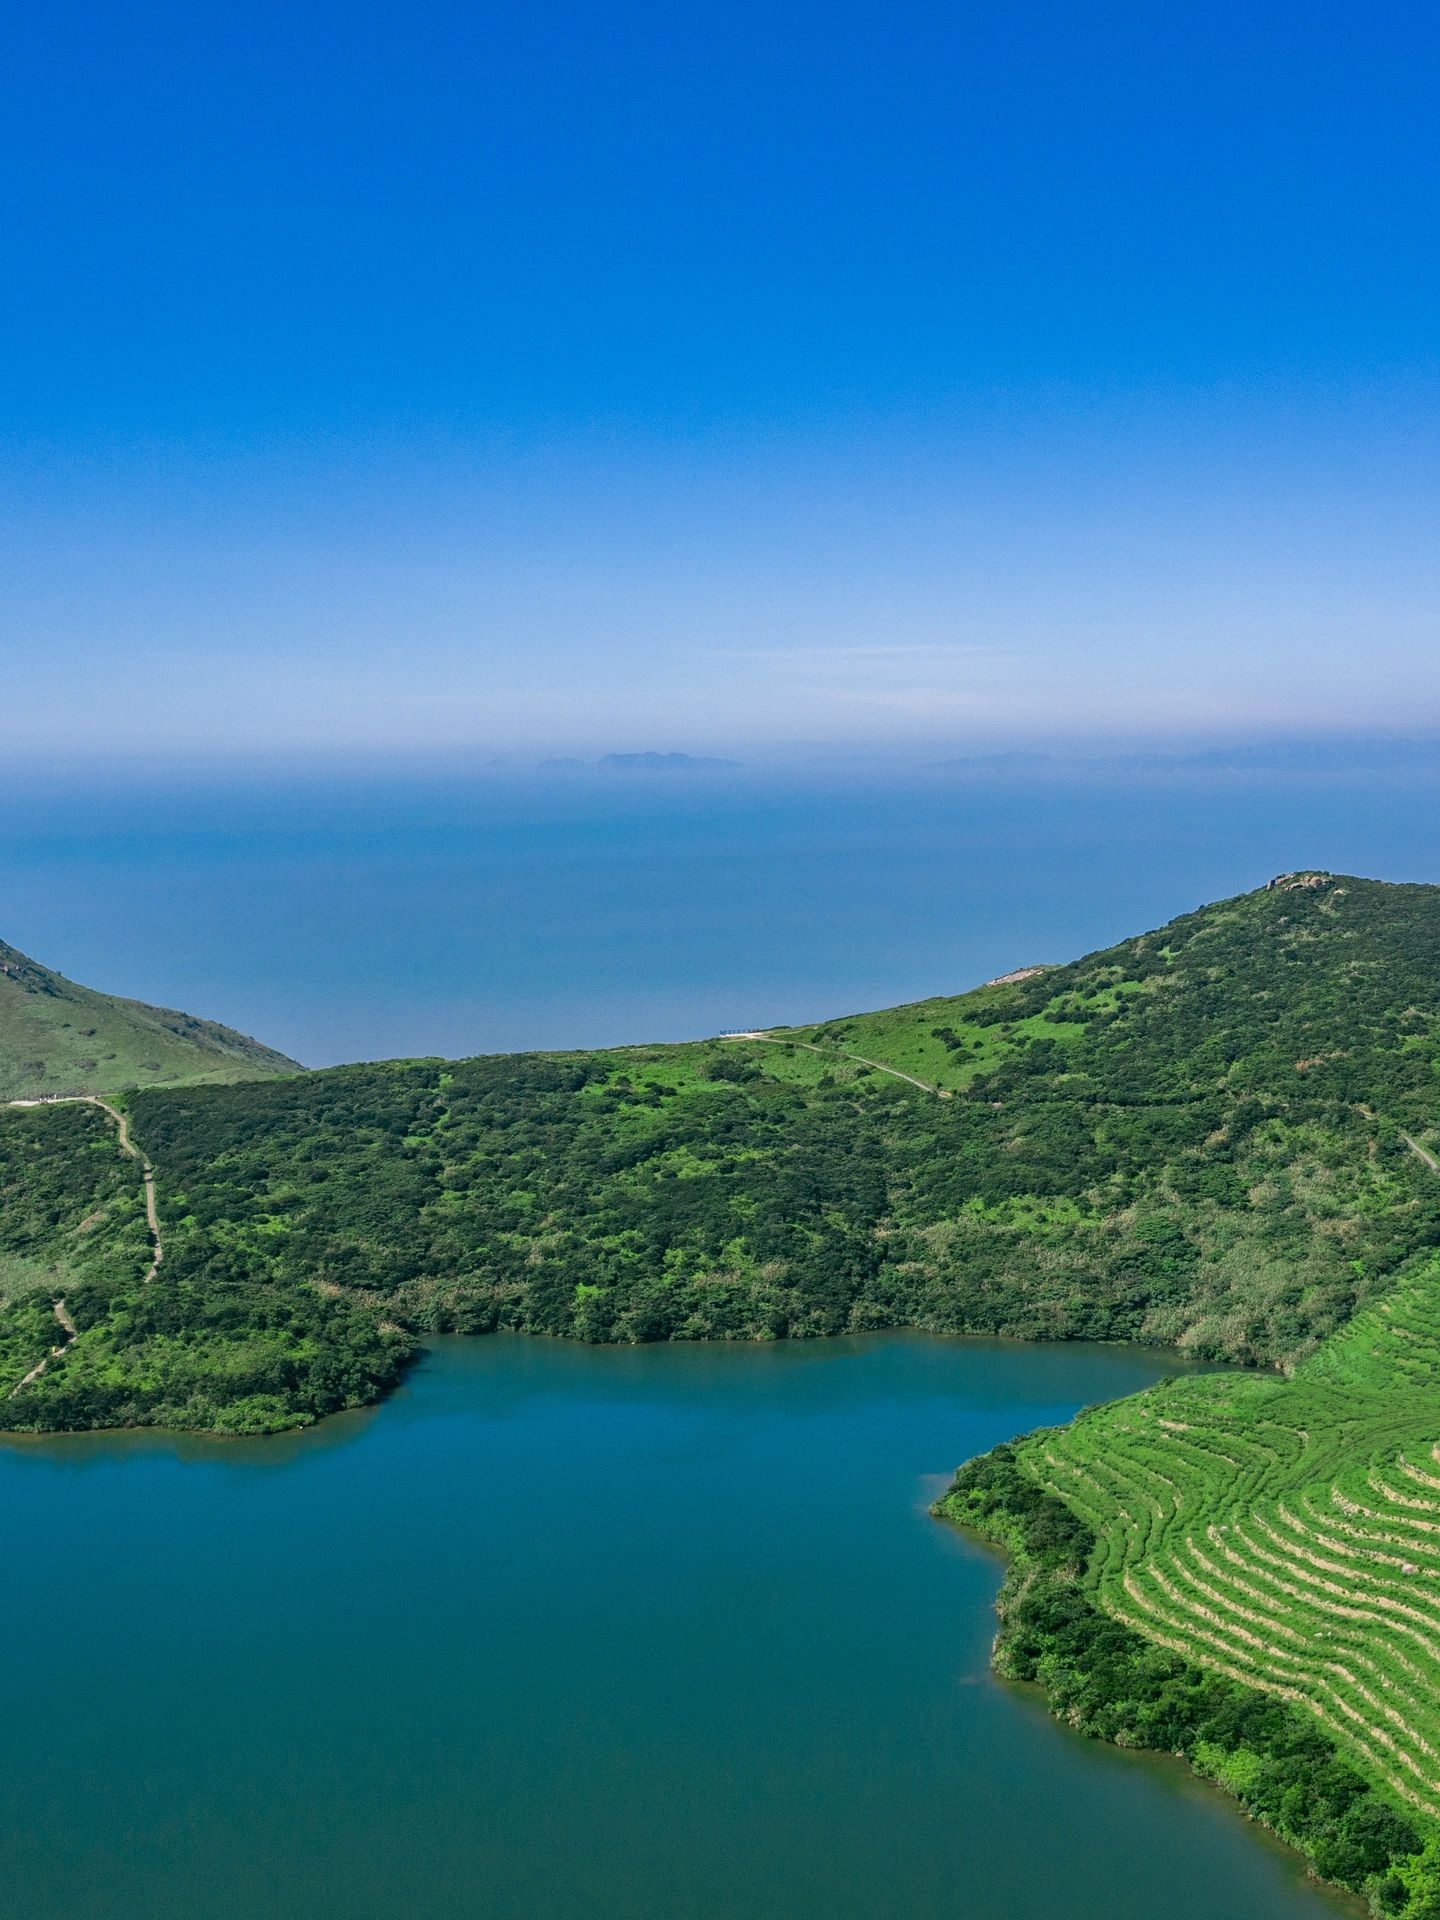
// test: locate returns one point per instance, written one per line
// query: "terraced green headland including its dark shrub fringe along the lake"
(1224, 1541)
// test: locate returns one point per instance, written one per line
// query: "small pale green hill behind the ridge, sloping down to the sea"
(59, 1038)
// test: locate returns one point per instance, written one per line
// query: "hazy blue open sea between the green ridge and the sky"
(360, 919)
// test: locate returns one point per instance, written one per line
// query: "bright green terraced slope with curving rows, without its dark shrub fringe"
(1287, 1533)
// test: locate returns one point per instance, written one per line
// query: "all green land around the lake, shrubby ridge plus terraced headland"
(1218, 1136)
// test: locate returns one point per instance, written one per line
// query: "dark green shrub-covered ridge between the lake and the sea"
(1195, 1138)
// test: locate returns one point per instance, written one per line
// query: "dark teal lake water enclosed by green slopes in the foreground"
(571, 1633)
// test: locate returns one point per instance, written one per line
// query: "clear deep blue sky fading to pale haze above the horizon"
(581, 379)
